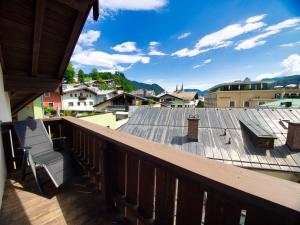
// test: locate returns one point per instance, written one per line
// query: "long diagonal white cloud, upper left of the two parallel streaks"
(222, 38)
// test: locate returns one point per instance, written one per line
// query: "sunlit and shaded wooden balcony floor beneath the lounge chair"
(75, 203)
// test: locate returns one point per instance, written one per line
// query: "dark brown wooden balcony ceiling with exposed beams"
(37, 38)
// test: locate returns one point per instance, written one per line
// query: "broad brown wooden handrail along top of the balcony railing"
(245, 185)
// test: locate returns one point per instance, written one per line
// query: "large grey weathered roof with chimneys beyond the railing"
(169, 126)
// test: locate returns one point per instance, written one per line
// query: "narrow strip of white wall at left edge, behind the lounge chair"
(5, 116)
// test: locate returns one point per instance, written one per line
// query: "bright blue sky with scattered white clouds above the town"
(198, 43)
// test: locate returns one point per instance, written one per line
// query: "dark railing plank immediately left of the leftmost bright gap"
(165, 197)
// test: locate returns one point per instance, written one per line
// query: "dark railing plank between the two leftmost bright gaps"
(189, 203)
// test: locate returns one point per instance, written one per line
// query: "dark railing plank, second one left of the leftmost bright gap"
(146, 189)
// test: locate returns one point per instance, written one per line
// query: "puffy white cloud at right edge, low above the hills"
(291, 66)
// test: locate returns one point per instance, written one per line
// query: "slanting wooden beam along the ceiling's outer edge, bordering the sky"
(78, 25)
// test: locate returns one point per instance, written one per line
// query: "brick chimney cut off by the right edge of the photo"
(293, 138)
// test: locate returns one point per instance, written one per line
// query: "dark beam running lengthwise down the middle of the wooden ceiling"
(37, 34)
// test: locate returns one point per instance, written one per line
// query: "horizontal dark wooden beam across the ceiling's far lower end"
(26, 84)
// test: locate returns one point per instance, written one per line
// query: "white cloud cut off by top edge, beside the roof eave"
(115, 5)
